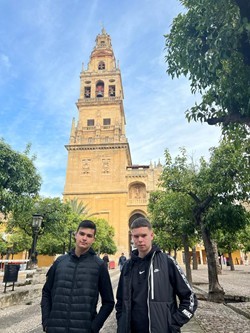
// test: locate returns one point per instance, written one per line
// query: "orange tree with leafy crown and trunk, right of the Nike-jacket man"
(223, 179)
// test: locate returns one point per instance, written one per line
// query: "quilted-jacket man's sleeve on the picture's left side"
(46, 301)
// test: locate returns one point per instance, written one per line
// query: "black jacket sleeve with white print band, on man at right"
(187, 298)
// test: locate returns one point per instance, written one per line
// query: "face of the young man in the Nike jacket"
(142, 238)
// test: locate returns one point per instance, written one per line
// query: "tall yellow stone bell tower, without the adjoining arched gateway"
(98, 150)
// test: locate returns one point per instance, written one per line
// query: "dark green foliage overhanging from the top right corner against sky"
(210, 44)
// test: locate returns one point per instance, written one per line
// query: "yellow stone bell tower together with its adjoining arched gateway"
(100, 172)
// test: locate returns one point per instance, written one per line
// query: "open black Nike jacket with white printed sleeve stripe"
(166, 280)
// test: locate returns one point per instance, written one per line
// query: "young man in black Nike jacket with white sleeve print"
(148, 286)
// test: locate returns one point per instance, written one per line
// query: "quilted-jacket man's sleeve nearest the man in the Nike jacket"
(107, 299)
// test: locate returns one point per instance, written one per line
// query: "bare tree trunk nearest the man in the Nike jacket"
(216, 292)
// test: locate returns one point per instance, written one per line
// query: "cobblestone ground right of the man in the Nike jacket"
(219, 318)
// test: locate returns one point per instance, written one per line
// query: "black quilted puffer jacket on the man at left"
(70, 294)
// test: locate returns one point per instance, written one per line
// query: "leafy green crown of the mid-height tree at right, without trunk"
(214, 187)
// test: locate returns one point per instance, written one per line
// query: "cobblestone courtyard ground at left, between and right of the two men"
(209, 317)
